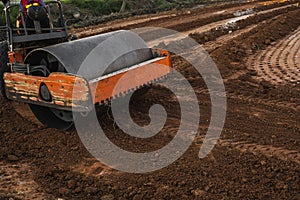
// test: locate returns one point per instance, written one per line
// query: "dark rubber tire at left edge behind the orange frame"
(3, 66)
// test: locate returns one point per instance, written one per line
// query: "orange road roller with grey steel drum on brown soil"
(57, 74)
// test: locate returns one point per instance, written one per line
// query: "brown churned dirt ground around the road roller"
(257, 156)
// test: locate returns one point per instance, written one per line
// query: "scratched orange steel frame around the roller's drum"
(26, 88)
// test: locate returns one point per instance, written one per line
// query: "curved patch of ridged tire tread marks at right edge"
(279, 64)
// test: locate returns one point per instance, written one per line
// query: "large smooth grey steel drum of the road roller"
(68, 57)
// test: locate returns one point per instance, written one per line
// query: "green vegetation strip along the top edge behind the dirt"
(92, 9)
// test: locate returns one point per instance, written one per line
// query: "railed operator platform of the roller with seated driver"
(46, 27)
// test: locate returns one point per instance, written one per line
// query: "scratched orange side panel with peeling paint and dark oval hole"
(61, 86)
